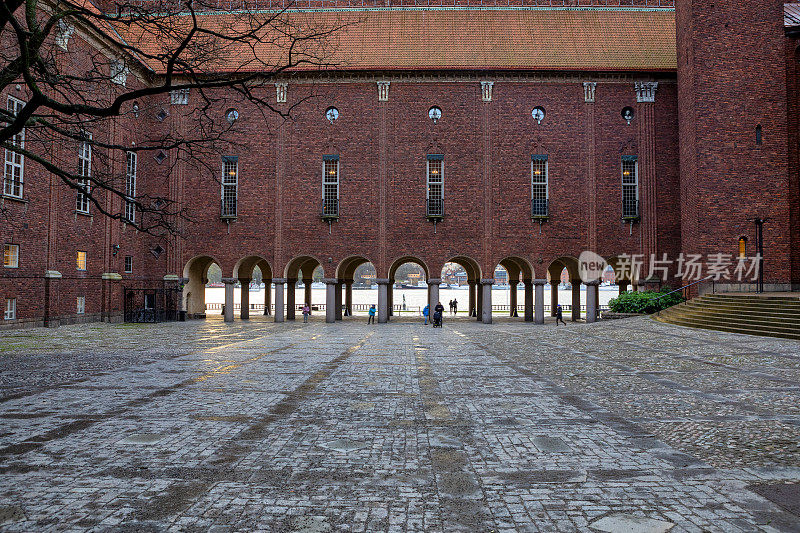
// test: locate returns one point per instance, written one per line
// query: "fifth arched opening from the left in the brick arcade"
(408, 287)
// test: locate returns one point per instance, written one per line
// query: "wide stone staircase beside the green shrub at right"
(771, 316)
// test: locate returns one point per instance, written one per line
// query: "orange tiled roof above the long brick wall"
(461, 39)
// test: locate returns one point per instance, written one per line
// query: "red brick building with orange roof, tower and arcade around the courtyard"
(515, 136)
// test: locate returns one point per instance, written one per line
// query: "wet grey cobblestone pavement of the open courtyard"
(399, 427)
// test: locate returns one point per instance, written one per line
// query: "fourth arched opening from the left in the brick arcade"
(357, 274)
